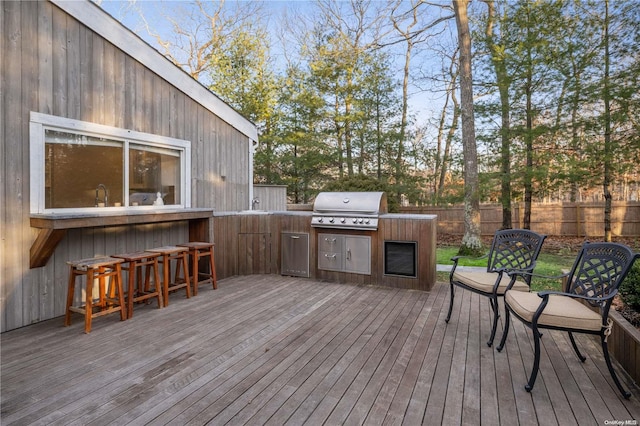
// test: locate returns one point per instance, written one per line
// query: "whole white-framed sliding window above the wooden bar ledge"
(89, 167)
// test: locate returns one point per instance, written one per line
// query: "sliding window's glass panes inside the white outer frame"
(78, 168)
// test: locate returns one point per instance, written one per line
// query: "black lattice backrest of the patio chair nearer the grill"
(514, 249)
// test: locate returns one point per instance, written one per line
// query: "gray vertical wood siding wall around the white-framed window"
(53, 64)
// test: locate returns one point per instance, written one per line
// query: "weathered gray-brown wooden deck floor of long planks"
(267, 349)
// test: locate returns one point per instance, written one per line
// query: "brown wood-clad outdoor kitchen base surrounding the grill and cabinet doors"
(250, 244)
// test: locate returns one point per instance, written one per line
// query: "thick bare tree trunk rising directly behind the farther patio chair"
(471, 241)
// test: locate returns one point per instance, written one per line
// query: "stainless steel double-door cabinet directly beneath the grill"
(344, 253)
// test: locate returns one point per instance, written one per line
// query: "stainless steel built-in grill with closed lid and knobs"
(348, 210)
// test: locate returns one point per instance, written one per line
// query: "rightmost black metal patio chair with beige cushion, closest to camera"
(593, 281)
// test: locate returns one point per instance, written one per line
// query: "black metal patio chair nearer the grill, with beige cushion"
(511, 250)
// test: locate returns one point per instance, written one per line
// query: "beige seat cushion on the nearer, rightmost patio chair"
(561, 311)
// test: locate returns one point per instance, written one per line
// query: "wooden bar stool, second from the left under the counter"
(133, 263)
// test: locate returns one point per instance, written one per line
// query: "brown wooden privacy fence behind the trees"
(568, 219)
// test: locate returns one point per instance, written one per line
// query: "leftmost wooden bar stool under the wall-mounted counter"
(96, 268)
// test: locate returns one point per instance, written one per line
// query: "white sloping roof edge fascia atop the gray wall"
(109, 28)
